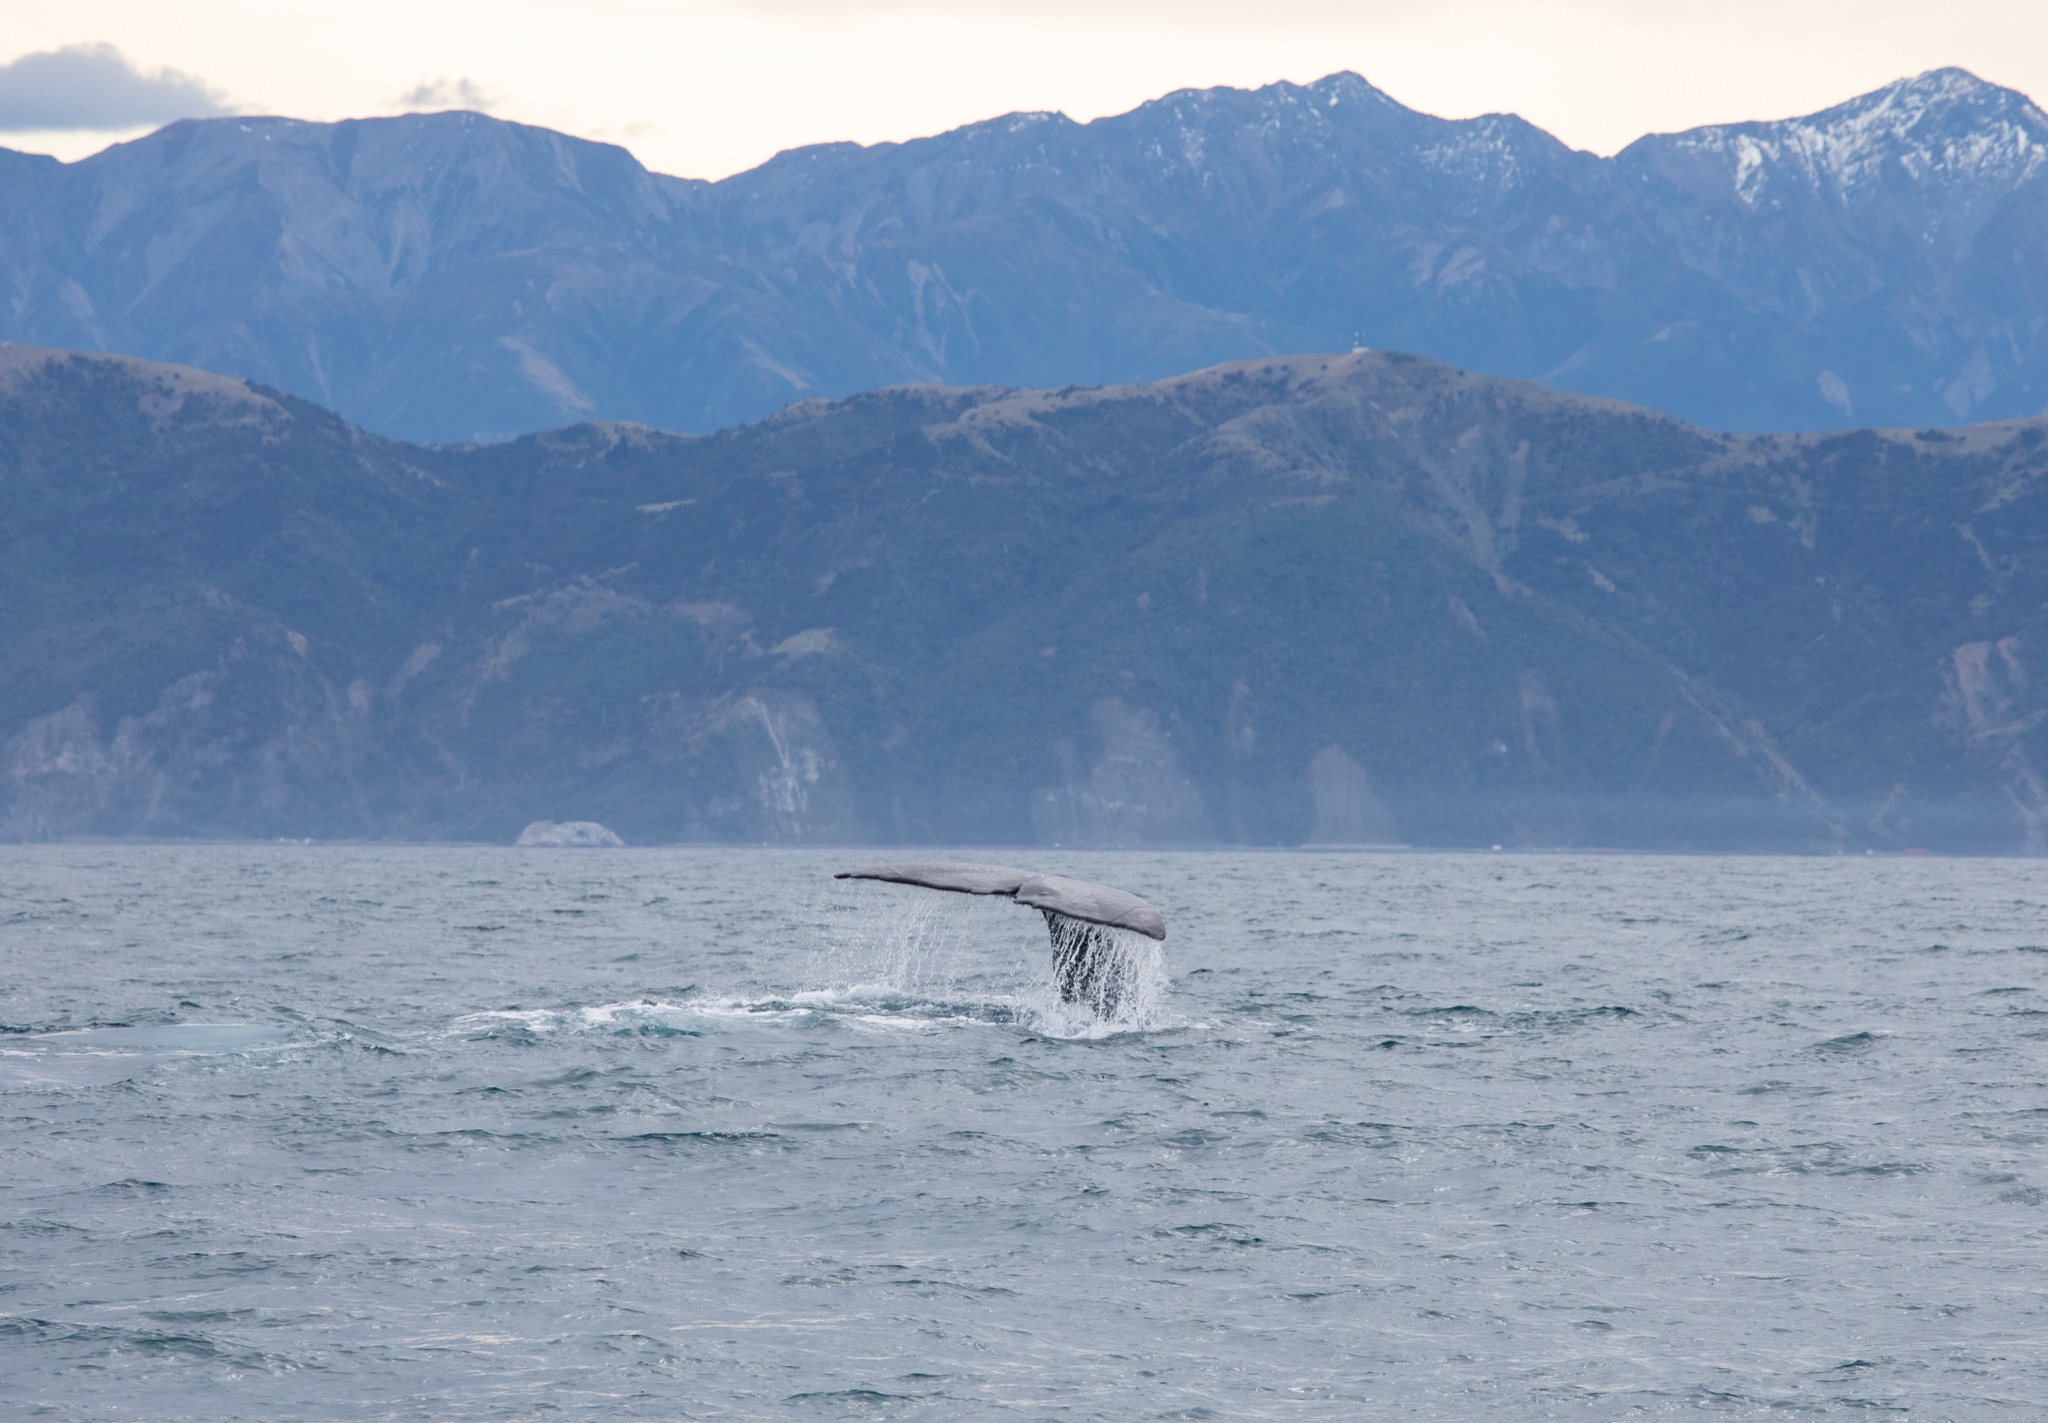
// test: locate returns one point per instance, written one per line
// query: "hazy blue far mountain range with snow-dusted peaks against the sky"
(443, 277)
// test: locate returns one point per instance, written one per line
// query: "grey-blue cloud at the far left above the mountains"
(97, 89)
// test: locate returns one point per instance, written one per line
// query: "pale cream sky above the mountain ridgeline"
(712, 87)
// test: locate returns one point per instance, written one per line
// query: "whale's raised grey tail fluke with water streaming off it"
(1097, 965)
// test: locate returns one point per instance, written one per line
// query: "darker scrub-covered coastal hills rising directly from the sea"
(1320, 599)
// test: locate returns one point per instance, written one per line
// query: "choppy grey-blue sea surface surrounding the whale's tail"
(392, 1133)
